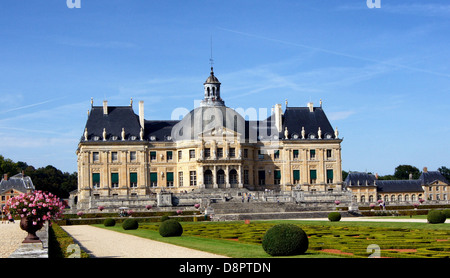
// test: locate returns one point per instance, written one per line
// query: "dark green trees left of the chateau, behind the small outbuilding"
(46, 178)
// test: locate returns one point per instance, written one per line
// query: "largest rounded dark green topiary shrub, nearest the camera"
(285, 240)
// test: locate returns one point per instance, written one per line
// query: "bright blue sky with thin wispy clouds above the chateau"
(383, 73)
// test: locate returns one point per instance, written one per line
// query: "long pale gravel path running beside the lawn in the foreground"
(102, 243)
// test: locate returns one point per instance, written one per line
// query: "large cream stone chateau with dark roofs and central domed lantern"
(213, 147)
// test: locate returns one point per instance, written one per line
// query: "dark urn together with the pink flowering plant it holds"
(34, 209)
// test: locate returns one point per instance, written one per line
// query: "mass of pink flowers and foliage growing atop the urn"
(37, 206)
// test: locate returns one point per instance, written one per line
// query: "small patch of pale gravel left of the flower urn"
(11, 237)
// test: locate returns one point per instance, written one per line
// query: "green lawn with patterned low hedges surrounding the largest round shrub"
(326, 239)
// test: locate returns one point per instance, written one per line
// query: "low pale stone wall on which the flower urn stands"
(34, 250)
